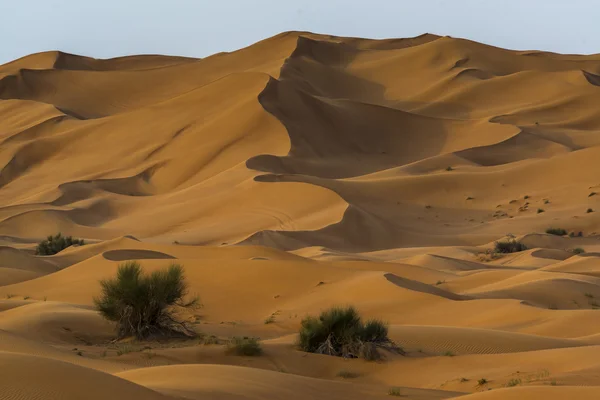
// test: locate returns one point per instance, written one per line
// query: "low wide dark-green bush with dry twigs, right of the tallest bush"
(341, 332)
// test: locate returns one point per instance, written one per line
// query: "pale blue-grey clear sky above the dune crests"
(197, 28)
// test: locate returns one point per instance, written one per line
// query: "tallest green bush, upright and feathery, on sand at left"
(143, 305)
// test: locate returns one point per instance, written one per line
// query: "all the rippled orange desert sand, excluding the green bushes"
(303, 172)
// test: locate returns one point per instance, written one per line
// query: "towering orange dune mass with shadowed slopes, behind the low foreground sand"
(362, 130)
